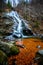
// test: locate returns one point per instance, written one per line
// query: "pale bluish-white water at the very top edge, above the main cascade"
(14, 3)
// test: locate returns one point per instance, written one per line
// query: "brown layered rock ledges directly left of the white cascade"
(6, 24)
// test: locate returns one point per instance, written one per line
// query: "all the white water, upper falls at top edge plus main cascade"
(19, 23)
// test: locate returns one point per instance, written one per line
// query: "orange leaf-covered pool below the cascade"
(27, 54)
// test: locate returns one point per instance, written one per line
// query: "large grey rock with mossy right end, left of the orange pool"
(9, 48)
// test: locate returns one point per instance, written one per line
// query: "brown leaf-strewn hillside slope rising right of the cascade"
(33, 14)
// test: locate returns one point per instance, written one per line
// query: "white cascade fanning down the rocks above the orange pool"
(18, 23)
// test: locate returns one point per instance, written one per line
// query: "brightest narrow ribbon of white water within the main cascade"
(15, 15)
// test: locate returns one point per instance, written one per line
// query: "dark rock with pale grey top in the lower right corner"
(39, 57)
